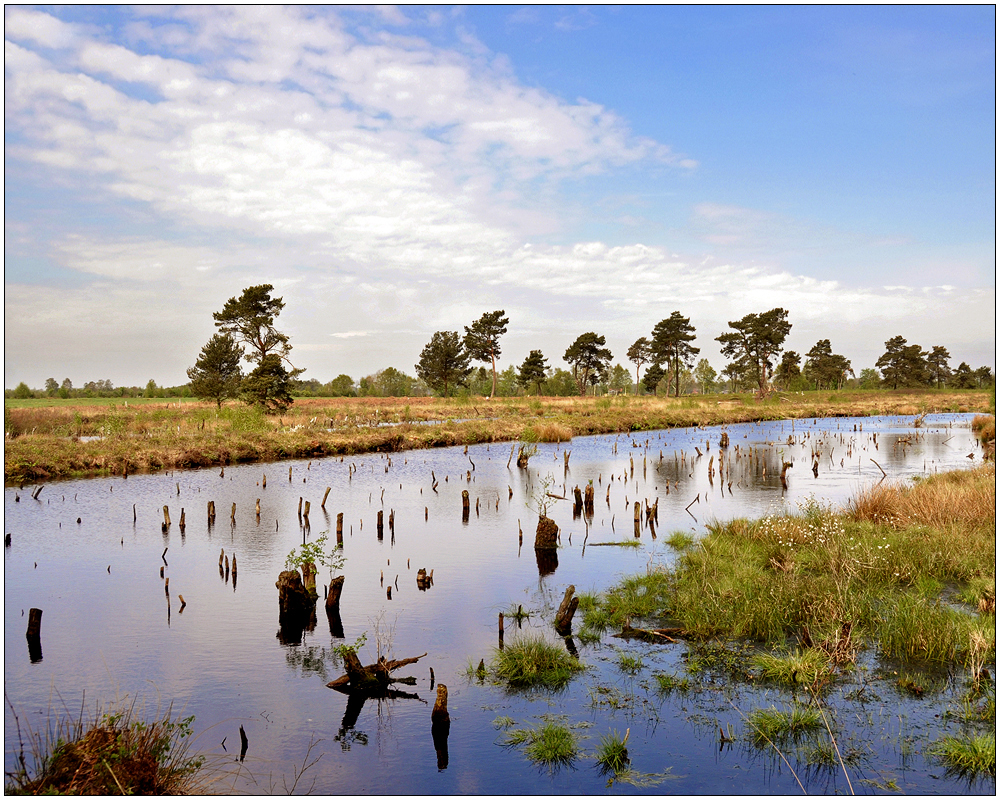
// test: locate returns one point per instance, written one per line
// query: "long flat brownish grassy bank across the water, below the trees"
(47, 439)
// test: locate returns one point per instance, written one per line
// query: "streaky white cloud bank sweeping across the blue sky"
(387, 187)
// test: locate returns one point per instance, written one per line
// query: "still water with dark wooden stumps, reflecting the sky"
(89, 552)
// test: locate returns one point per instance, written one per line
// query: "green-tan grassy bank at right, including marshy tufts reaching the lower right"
(904, 573)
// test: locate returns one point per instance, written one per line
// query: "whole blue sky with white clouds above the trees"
(393, 172)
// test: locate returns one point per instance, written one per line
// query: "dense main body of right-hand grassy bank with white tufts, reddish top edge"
(908, 570)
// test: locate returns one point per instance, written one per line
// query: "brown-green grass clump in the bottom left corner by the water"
(116, 752)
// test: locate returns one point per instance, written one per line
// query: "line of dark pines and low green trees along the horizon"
(753, 347)
